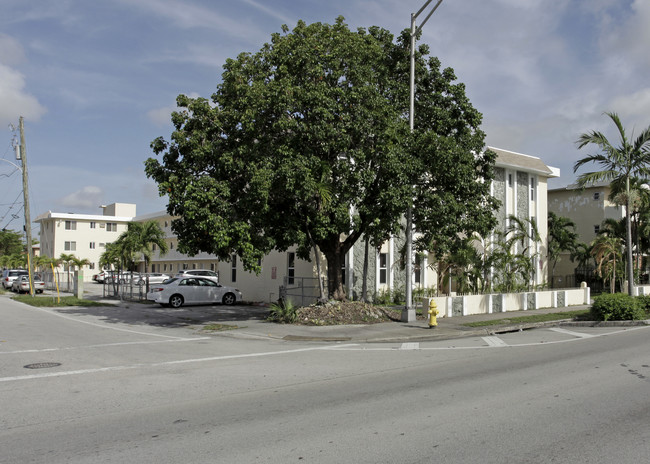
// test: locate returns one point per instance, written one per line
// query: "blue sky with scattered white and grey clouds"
(96, 81)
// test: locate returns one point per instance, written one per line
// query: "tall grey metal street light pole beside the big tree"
(408, 314)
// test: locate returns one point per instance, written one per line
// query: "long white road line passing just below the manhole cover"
(165, 363)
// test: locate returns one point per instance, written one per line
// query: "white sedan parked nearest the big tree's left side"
(178, 291)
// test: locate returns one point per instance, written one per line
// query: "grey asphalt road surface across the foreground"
(150, 393)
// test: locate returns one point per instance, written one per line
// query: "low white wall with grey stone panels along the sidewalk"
(467, 305)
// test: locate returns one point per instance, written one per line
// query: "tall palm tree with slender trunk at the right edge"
(619, 165)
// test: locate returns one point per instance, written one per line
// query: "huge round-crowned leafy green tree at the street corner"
(319, 109)
